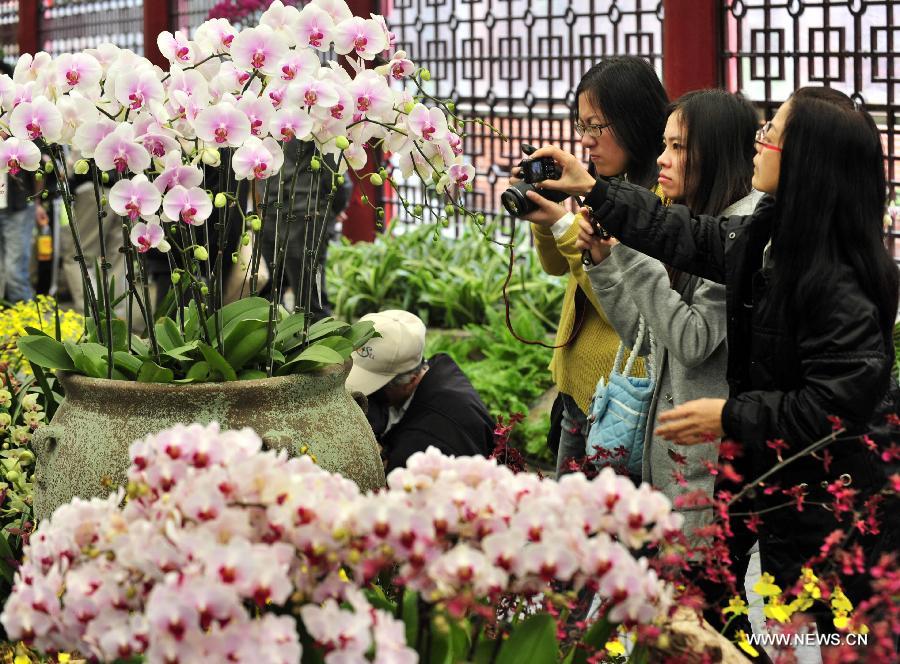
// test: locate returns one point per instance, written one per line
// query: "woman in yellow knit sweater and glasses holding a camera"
(621, 115)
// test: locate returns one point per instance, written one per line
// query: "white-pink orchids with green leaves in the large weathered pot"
(177, 150)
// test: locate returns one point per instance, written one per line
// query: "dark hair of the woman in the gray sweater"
(719, 130)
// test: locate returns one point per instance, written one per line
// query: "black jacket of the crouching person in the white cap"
(445, 412)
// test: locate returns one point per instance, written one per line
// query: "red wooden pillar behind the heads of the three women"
(691, 45)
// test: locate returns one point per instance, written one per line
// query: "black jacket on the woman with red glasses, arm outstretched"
(785, 377)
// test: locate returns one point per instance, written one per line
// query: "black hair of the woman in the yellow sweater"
(627, 91)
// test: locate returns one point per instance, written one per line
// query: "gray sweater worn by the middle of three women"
(688, 326)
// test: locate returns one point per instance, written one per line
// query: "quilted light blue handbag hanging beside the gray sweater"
(617, 417)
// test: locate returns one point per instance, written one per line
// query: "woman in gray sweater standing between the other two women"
(706, 164)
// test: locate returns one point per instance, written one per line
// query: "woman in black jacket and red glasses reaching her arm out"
(811, 298)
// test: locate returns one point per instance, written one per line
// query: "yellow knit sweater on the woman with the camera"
(577, 367)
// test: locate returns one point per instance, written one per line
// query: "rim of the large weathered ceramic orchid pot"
(231, 385)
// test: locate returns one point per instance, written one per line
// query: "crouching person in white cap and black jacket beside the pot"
(414, 403)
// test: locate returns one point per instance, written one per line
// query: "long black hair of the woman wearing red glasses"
(830, 204)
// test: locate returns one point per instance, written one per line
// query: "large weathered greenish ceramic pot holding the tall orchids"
(84, 450)
